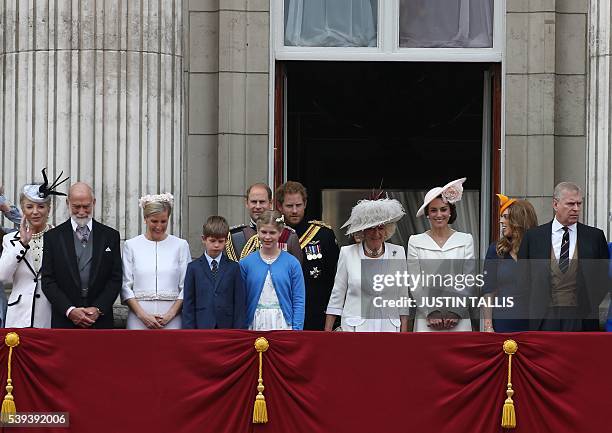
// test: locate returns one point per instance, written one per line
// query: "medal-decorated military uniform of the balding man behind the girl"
(243, 240)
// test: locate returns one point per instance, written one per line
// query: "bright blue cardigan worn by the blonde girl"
(288, 280)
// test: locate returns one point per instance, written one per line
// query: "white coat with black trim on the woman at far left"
(27, 305)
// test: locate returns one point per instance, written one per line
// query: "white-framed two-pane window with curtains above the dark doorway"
(423, 30)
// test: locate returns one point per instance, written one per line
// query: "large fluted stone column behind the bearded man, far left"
(94, 88)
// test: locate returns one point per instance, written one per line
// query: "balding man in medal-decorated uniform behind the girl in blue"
(243, 240)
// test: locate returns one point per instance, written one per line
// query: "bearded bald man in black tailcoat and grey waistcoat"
(81, 270)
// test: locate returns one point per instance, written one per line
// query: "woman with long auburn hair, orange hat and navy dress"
(501, 267)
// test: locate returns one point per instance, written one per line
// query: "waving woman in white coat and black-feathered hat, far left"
(22, 253)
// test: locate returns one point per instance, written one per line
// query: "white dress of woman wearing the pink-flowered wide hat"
(424, 254)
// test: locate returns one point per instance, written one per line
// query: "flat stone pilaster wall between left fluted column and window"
(227, 137)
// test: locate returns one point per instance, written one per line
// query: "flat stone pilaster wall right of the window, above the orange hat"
(545, 98)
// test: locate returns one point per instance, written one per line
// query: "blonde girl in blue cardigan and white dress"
(274, 280)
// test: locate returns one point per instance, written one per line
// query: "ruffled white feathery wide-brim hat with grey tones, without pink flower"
(372, 213)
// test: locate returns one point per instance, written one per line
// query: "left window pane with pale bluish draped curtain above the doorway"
(331, 23)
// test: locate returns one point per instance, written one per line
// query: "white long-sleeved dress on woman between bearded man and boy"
(153, 274)
